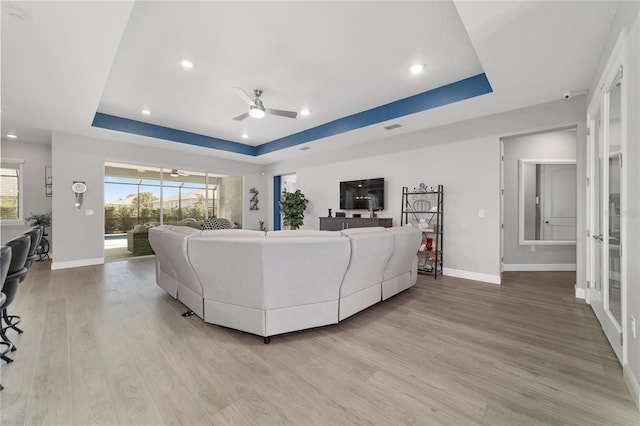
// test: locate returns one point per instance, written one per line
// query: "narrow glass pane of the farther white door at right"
(597, 198)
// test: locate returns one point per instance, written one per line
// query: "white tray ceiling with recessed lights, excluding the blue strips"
(64, 61)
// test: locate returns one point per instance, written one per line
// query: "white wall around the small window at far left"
(35, 157)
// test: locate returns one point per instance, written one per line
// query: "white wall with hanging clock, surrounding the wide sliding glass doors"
(78, 236)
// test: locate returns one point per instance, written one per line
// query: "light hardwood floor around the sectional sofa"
(105, 345)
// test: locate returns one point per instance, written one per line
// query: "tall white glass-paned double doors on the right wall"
(605, 247)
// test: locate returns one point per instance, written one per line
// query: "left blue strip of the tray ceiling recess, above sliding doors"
(113, 122)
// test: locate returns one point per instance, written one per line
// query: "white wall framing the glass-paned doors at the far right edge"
(628, 17)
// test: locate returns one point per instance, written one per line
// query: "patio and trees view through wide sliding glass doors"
(138, 197)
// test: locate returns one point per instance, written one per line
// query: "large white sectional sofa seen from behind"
(281, 281)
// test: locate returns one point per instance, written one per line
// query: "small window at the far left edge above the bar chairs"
(11, 191)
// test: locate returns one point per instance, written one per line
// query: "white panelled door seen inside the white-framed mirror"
(559, 202)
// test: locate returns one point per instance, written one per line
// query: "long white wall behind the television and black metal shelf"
(464, 157)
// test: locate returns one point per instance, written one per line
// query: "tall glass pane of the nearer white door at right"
(613, 209)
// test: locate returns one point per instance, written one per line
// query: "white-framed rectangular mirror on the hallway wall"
(547, 202)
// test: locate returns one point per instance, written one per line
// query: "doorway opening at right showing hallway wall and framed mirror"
(539, 201)
